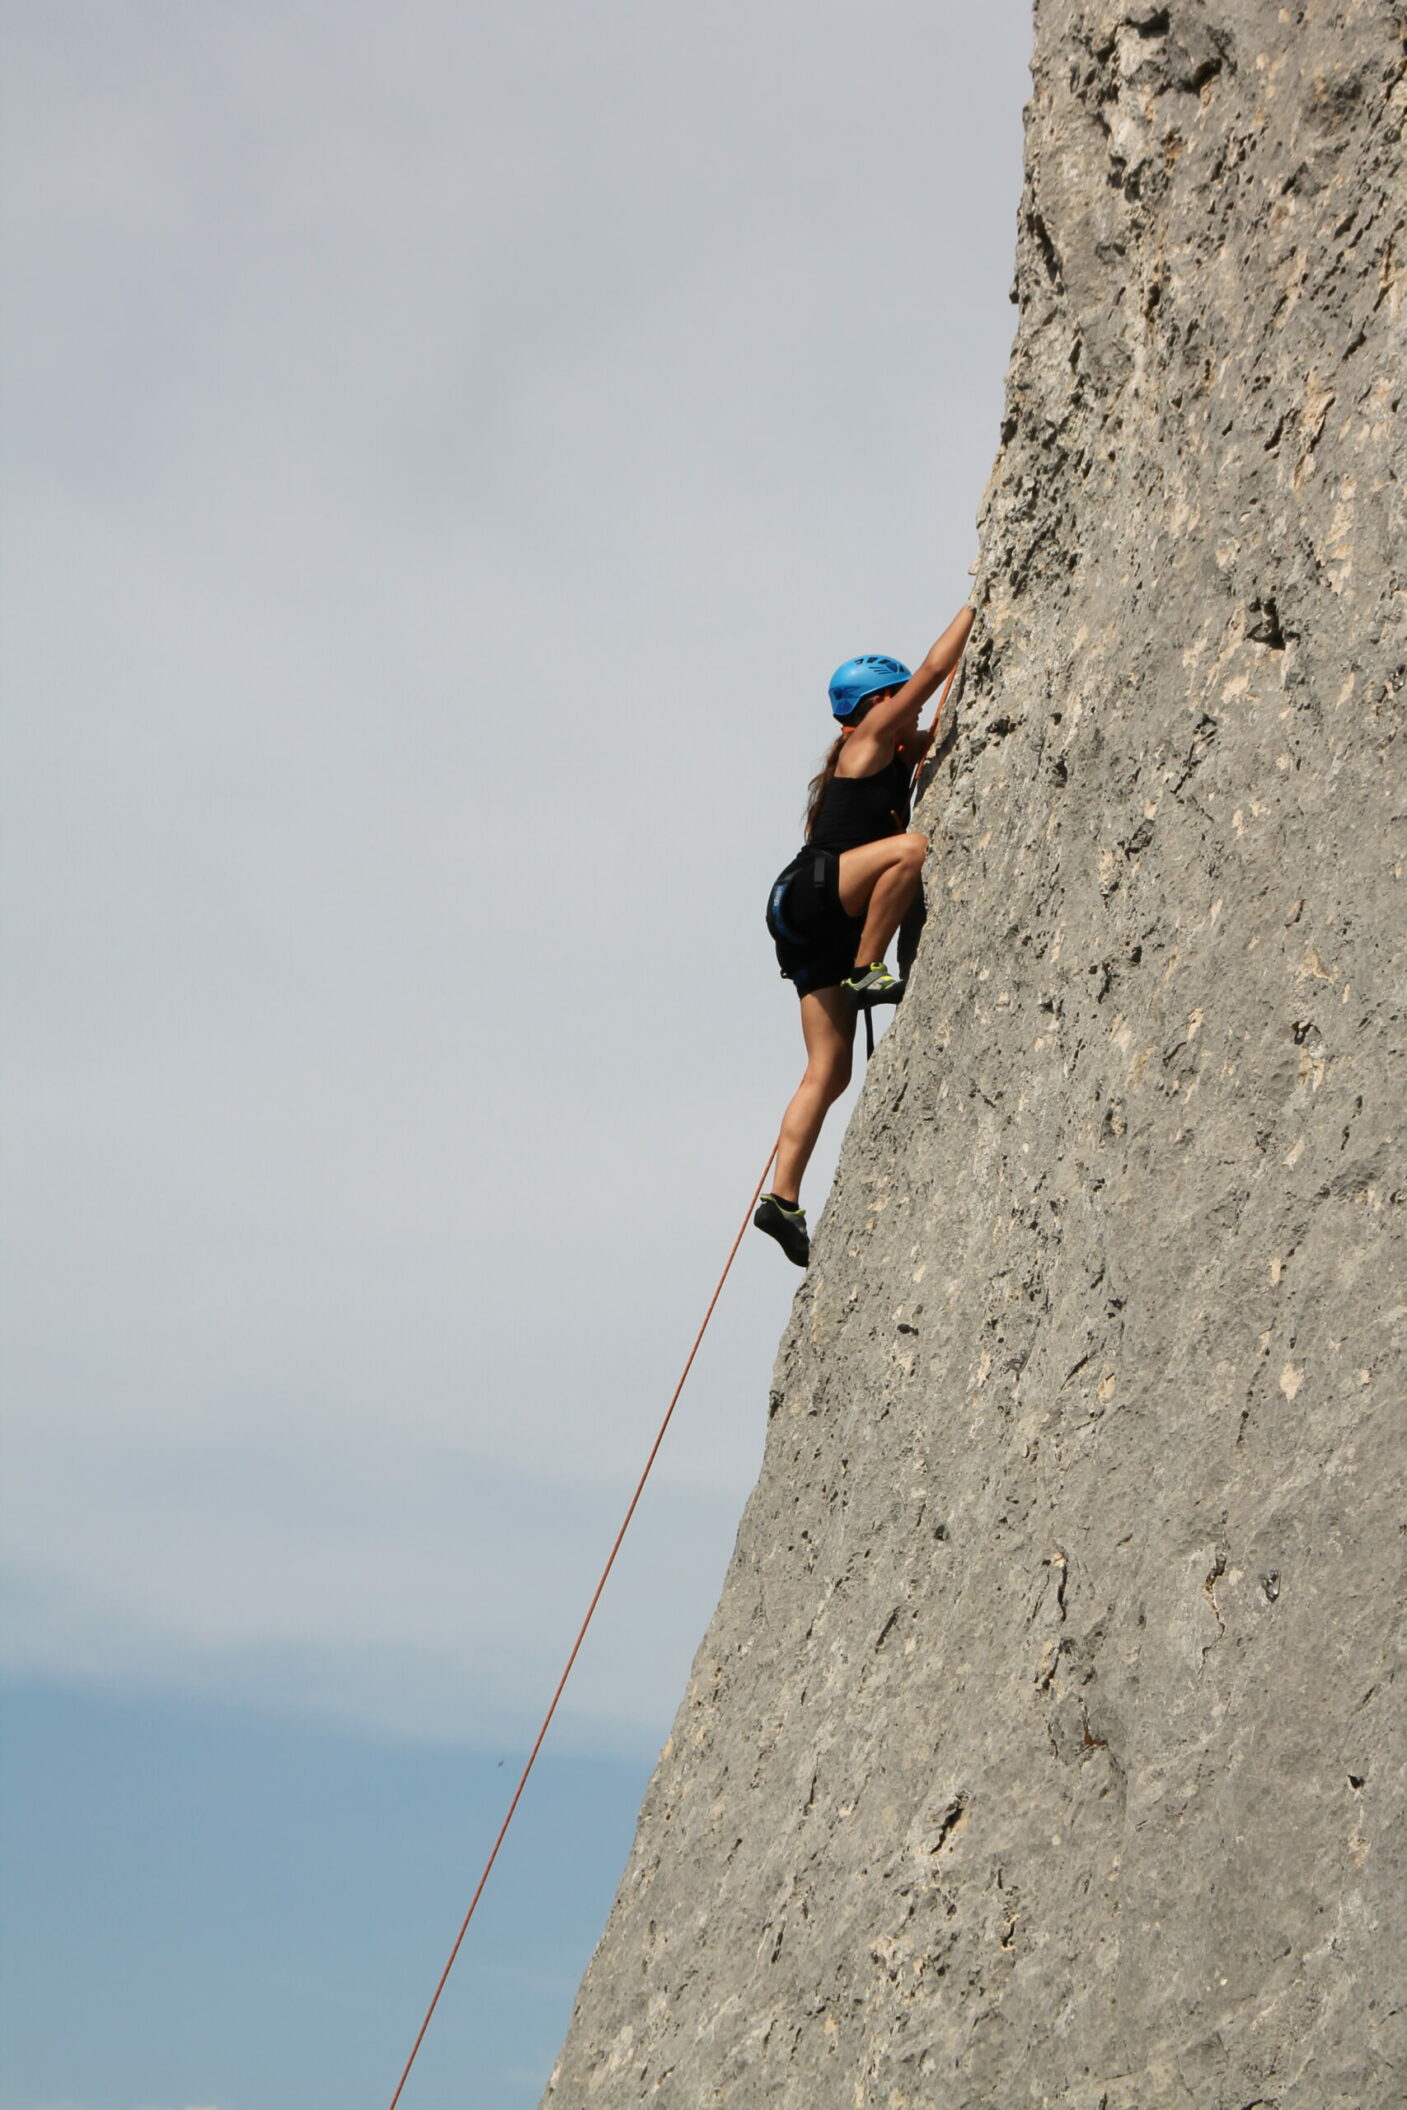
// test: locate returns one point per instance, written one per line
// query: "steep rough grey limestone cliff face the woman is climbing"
(1043, 1748)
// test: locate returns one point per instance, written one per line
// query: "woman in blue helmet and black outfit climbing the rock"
(843, 898)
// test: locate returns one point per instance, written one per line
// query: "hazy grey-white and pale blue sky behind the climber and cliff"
(446, 455)
